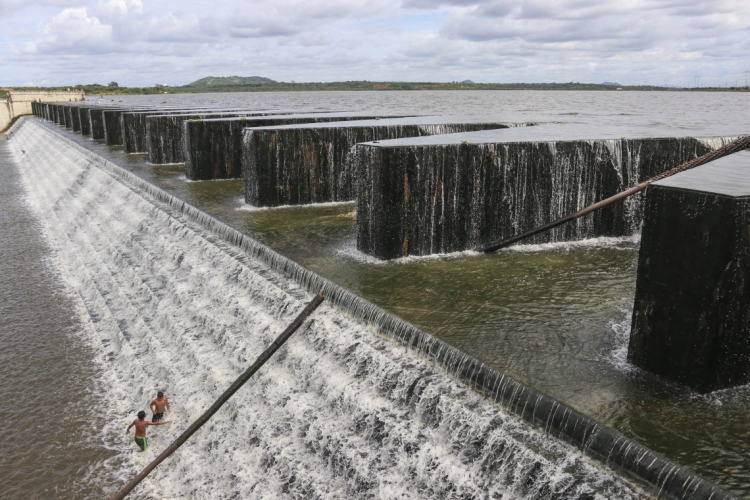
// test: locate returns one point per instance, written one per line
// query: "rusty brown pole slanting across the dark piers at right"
(732, 147)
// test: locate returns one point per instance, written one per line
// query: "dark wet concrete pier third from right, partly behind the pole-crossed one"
(313, 163)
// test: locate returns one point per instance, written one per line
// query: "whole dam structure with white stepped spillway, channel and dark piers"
(192, 232)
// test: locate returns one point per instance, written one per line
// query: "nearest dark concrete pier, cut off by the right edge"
(691, 319)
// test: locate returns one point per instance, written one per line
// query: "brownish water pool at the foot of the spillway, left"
(58, 440)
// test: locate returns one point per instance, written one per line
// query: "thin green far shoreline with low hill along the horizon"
(261, 84)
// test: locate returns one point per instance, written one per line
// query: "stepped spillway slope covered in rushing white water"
(176, 297)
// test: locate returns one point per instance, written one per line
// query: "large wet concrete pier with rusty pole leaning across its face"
(456, 192)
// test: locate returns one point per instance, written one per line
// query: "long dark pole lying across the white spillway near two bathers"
(262, 359)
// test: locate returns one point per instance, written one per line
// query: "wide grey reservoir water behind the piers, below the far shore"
(714, 113)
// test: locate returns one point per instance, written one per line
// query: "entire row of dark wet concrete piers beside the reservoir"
(429, 195)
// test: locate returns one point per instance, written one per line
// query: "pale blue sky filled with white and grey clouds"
(142, 42)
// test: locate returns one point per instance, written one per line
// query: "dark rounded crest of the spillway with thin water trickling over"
(658, 476)
